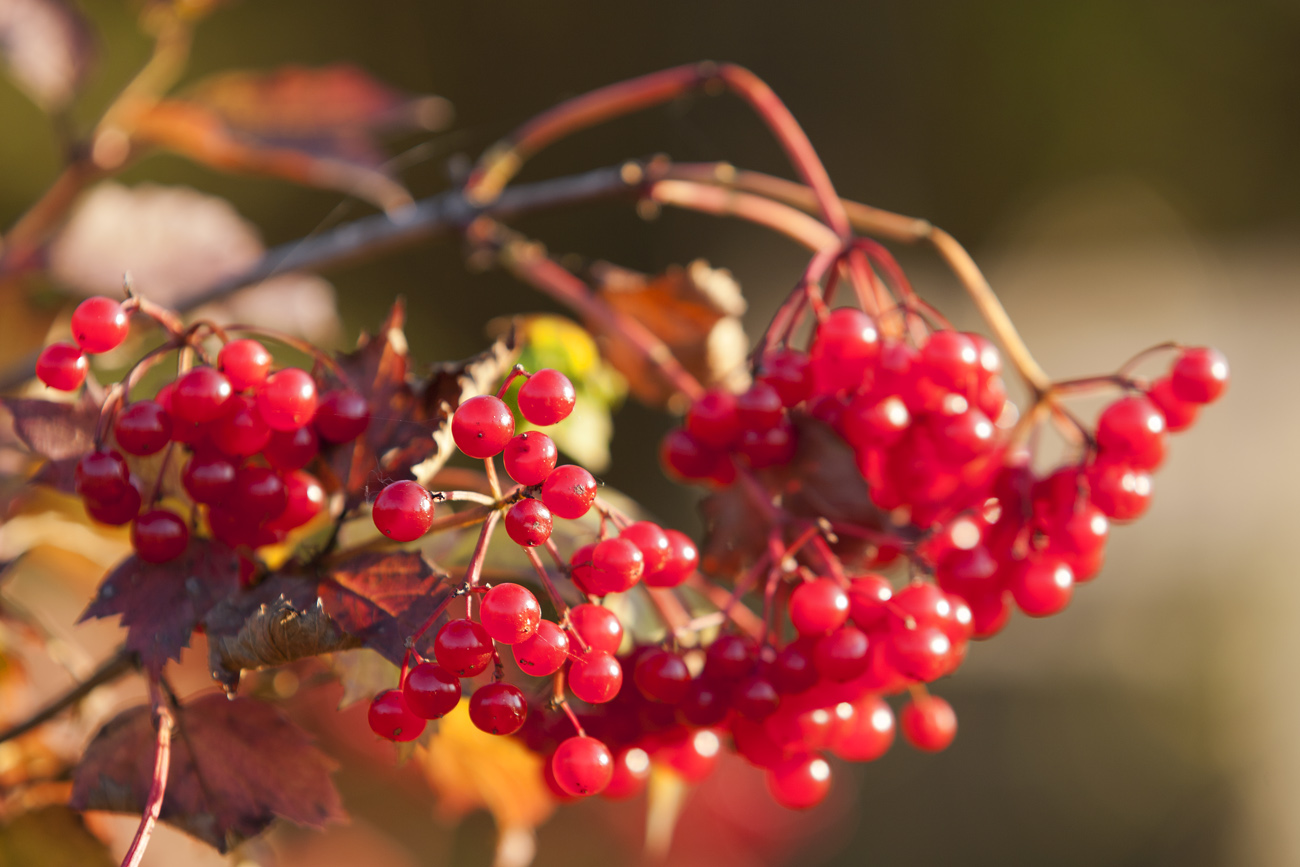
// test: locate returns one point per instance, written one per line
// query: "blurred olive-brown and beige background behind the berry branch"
(1125, 174)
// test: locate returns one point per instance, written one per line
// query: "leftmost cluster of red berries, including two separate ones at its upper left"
(245, 432)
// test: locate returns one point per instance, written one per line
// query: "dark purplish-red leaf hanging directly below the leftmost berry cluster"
(161, 604)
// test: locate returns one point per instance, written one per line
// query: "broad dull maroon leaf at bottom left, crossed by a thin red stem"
(237, 765)
